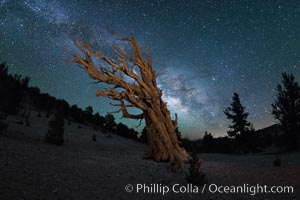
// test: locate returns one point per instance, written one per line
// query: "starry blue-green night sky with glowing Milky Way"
(204, 49)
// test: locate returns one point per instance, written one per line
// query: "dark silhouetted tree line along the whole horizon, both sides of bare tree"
(242, 138)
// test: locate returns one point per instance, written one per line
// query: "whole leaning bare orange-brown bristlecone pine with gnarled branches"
(142, 93)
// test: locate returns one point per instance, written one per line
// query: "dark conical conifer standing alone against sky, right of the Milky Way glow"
(236, 112)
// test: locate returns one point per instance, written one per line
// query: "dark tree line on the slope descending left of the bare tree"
(15, 91)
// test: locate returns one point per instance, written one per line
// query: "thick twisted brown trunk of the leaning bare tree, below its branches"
(162, 137)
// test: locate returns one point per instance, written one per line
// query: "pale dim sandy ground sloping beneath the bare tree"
(82, 169)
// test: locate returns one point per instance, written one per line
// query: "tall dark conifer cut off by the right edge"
(286, 109)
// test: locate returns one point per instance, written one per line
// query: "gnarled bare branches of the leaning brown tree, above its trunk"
(132, 93)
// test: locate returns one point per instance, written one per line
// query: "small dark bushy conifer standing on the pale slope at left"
(55, 134)
